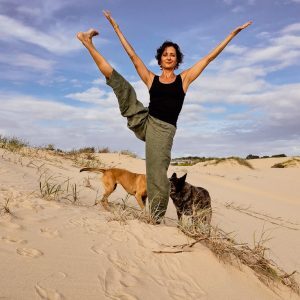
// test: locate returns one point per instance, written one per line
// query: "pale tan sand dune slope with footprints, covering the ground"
(58, 250)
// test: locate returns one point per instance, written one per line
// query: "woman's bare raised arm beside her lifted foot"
(145, 74)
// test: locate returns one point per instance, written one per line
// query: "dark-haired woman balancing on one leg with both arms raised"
(155, 125)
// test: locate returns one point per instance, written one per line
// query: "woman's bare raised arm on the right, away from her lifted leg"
(189, 75)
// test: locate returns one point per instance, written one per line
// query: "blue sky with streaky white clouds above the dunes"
(246, 101)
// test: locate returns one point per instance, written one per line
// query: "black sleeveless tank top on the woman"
(166, 100)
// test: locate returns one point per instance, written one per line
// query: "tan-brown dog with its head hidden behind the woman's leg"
(134, 184)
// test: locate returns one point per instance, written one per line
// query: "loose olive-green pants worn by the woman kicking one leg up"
(158, 137)
